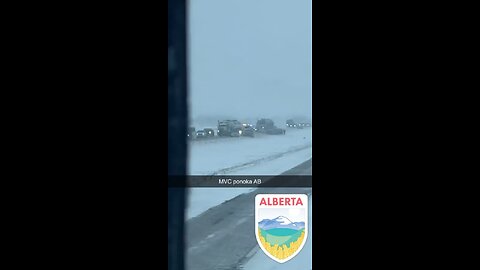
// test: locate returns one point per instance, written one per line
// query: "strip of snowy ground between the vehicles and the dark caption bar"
(236, 156)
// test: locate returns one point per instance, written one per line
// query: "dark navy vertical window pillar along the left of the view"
(177, 129)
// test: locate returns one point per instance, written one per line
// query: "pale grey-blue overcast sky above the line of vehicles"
(250, 58)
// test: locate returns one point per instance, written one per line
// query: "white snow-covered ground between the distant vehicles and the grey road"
(262, 155)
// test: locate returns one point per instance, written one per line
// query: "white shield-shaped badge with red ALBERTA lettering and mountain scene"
(281, 224)
